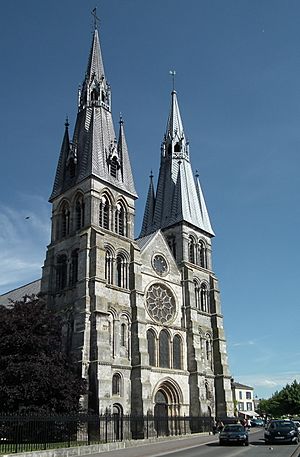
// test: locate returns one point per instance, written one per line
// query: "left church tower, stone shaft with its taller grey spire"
(86, 271)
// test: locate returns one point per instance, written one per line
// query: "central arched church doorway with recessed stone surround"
(167, 399)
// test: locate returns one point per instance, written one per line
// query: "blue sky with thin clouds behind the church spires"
(238, 85)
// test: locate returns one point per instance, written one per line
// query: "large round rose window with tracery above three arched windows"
(160, 303)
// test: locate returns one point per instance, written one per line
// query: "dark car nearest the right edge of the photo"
(281, 431)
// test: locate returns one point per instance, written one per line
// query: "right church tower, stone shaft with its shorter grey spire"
(178, 209)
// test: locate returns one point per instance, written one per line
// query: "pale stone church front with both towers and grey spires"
(142, 317)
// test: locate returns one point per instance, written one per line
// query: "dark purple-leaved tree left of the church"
(35, 375)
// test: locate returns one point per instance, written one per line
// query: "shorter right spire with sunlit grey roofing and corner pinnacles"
(179, 196)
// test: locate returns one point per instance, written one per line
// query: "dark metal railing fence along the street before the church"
(27, 433)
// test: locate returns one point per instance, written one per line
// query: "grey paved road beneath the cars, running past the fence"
(206, 446)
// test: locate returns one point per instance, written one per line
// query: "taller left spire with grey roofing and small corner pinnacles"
(94, 149)
